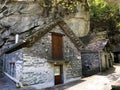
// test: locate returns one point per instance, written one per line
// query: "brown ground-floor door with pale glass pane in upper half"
(58, 70)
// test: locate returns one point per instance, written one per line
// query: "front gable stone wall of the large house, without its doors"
(37, 69)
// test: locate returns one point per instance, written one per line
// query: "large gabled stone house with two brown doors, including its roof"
(48, 57)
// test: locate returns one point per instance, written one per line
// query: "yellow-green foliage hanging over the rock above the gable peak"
(60, 7)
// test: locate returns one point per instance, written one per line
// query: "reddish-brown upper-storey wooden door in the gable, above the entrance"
(57, 45)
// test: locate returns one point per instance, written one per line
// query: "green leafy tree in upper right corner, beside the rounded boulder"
(104, 16)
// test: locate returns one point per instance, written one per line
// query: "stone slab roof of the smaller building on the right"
(95, 41)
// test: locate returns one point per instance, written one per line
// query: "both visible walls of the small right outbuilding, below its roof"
(94, 62)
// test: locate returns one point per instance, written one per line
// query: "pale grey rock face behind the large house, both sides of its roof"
(24, 17)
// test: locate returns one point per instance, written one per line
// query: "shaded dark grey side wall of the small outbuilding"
(91, 62)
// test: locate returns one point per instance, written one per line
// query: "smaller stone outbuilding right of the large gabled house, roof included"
(95, 58)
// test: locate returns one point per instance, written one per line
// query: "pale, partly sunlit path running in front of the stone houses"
(102, 81)
